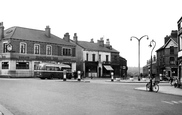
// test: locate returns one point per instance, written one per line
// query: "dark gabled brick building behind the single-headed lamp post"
(167, 56)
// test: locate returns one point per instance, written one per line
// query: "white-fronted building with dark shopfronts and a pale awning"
(98, 59)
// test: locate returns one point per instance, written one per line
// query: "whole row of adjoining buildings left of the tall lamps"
(22, 49)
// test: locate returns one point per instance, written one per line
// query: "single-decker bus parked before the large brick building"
(50, 71)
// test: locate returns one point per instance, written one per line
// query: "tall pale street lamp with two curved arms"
(139, 51)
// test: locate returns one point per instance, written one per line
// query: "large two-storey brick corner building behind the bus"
(22, 49)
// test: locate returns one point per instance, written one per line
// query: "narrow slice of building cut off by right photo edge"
(179, 35)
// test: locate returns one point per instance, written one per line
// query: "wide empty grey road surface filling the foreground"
(97, 97)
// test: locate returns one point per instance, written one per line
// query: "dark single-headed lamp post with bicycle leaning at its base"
(152, 43)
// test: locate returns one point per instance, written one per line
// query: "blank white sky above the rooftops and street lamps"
(116, 20)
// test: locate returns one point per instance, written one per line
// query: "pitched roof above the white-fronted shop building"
(95, 47)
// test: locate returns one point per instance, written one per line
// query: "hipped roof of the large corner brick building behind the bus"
(33, 35)
